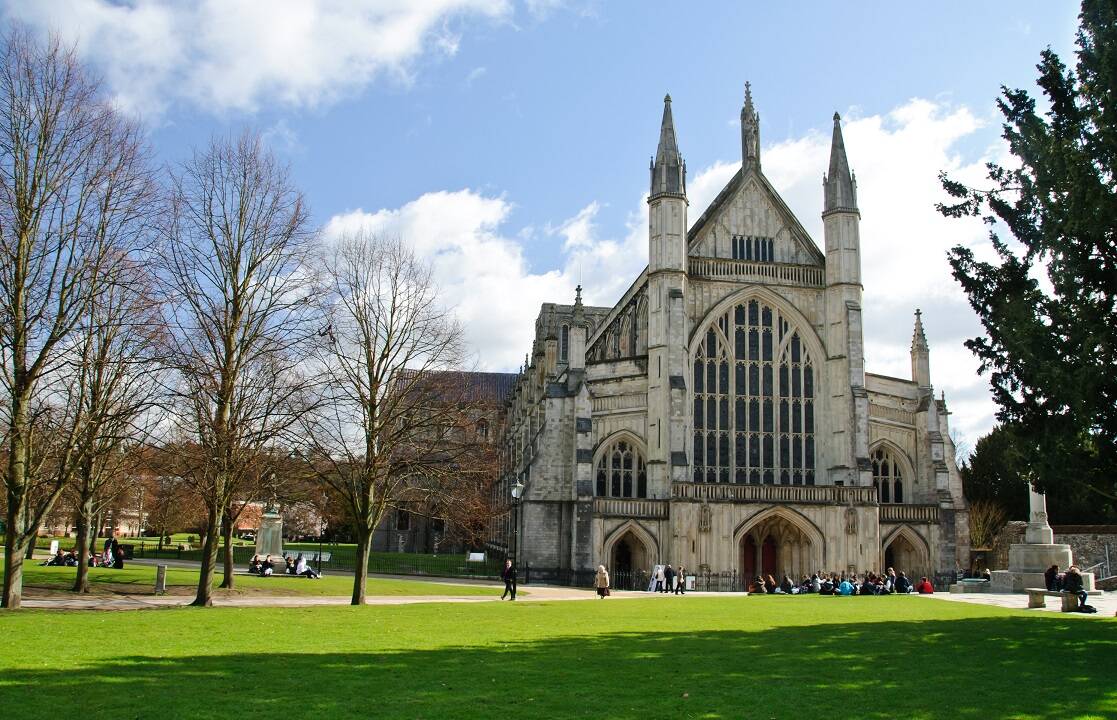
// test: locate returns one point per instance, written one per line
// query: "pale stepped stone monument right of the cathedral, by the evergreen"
(1029, 560)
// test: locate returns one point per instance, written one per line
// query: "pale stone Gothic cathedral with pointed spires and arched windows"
(720, 415)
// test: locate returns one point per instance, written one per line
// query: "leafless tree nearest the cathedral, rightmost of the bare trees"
(389, 427)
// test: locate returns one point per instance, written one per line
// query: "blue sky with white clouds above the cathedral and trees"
(509, 141)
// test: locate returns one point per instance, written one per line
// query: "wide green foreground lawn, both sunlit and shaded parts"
(686, 658)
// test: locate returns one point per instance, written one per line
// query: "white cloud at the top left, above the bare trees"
(235, 55)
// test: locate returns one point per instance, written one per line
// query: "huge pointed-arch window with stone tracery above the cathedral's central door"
(753, 401)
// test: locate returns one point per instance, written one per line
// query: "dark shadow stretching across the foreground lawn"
(987, 668)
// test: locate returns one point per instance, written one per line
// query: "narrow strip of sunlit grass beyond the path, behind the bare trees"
(141, 580)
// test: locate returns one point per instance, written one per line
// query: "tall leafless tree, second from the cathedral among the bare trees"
(234, 264)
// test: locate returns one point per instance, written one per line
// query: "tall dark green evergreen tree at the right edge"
(1049, 301)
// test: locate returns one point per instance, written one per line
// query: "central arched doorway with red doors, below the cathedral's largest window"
(779, 544)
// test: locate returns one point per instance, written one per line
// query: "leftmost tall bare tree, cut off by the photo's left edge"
(70, 170)
